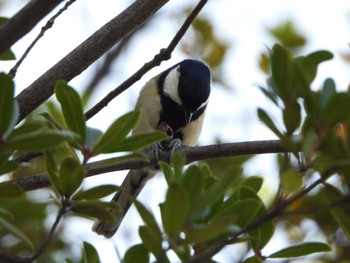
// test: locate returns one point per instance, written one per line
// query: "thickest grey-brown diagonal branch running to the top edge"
(86, 53)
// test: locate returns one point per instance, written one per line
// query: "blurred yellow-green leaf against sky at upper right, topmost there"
(288, 35)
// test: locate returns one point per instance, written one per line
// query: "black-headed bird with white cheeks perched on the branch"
(177, 98)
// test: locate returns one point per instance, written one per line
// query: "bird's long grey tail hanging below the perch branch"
(131, 187)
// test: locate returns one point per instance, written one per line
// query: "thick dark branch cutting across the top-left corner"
(22, 22)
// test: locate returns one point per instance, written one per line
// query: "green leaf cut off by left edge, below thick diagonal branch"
(8, 114)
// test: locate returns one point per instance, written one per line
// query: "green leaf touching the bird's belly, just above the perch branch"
(139, 141)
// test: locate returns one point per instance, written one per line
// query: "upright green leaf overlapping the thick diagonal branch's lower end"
(72, 108)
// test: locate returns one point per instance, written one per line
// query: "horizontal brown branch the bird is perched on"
(192, 154)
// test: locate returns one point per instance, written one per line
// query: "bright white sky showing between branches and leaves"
(231, 114)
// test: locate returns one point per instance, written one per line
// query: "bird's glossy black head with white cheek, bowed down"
(184, 90)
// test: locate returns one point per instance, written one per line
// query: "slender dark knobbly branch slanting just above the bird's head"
(164, 54)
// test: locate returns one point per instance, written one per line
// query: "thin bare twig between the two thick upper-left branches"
(48, 25)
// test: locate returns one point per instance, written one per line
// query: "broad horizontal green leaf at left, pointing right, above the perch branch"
(39, 140)
